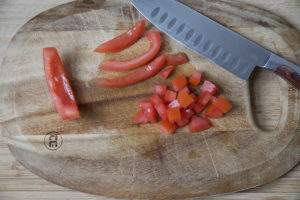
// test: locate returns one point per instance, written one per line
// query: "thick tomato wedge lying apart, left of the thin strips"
(59, 85)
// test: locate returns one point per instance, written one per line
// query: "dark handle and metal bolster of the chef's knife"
(285, 69)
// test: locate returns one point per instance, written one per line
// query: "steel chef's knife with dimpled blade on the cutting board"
(210, 39)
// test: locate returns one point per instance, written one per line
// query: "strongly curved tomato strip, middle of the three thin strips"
(155, 43)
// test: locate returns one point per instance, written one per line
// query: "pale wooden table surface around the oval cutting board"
(18, 183)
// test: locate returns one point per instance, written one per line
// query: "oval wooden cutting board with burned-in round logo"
(104, 152)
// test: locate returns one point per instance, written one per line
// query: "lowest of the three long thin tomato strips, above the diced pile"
(137, 76)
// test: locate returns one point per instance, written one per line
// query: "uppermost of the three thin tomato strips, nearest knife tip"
(124, 40)
